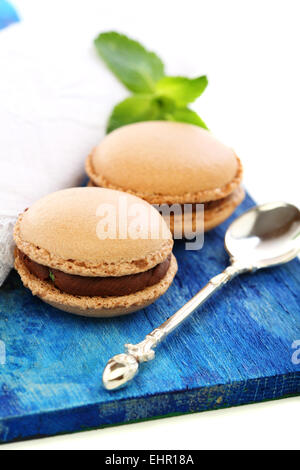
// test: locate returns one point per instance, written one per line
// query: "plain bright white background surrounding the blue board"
(250, 52)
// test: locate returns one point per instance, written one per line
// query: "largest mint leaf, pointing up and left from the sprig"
(137, 68)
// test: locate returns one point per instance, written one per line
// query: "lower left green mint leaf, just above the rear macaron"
(136, 108)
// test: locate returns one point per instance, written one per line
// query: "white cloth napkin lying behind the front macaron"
(54, 103)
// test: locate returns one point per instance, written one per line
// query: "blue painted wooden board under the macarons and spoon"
(236, 349)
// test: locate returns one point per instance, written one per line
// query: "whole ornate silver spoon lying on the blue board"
(263, 236)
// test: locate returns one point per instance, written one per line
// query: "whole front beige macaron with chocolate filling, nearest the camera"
(94, 251)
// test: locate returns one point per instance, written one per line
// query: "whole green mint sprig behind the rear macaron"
(155, 95)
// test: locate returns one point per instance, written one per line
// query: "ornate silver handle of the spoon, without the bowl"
(123, 367)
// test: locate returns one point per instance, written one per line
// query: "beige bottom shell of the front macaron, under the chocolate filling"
(95, 306)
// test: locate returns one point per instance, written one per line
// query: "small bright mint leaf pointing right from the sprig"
(181, 89)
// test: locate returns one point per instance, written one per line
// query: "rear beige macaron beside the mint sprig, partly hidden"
(170, 163)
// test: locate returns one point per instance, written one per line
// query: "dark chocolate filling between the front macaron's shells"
(97, 286)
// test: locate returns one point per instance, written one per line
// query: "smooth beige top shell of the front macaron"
(61, 230)
